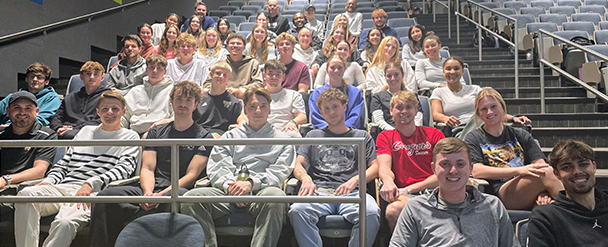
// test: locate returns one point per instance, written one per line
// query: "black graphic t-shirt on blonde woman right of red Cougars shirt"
(513, 148)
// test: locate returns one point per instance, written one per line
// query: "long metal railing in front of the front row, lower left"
(176, 198)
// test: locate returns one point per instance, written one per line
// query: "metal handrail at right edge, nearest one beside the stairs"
(562, 72)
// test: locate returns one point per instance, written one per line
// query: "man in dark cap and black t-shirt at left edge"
(26, 163)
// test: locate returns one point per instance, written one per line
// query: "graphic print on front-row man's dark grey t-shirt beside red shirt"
(336, 158)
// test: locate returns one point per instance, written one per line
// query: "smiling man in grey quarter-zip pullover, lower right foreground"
(455, 214)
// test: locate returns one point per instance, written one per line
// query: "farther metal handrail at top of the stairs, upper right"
(480, 27)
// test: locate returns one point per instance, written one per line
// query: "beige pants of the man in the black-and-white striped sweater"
(63, 229)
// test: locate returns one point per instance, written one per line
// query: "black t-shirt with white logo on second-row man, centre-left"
(217, 112)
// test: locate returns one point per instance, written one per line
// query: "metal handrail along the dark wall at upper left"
(58, 24)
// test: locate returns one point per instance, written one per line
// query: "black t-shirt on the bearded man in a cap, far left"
(14, 160)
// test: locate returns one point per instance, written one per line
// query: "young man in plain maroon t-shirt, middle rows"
(297, 77)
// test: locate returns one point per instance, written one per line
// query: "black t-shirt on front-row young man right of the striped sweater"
(162, 173)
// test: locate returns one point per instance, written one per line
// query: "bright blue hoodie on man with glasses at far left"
(48, 102)
